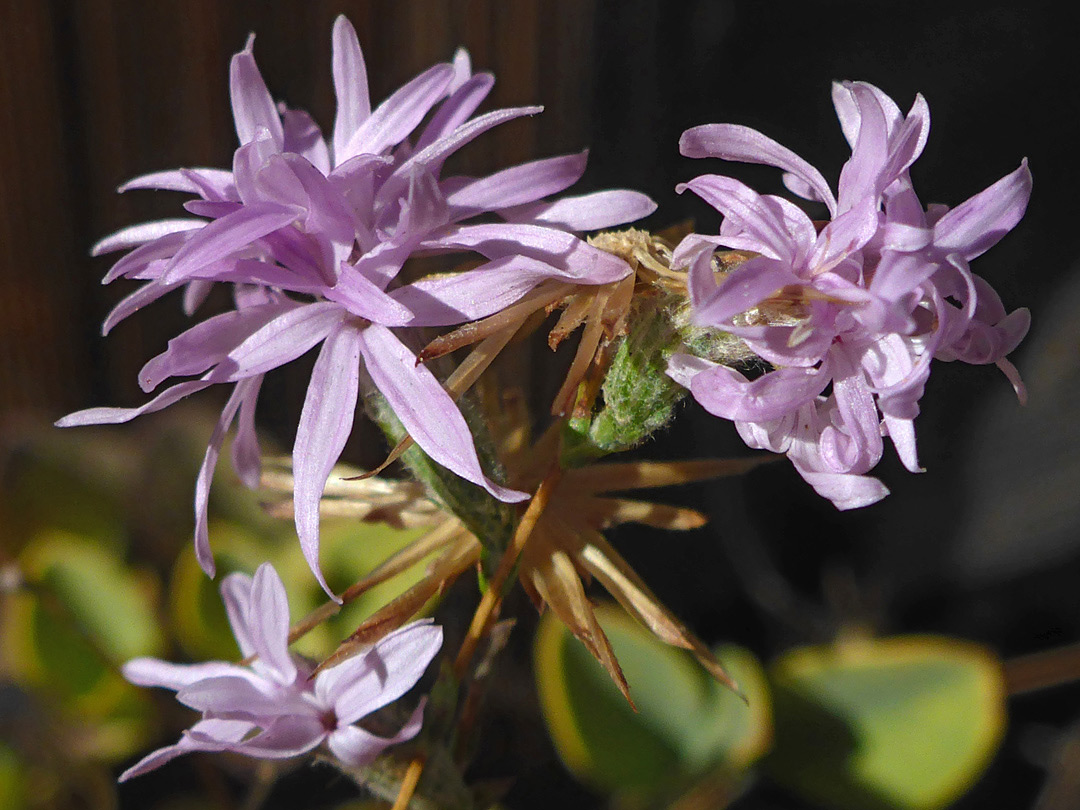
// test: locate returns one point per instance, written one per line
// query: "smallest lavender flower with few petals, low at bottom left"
(274, 709)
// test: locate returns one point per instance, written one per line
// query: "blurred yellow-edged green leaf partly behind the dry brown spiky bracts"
(686, 723)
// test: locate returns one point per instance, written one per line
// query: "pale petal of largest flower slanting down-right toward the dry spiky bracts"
(425, 409)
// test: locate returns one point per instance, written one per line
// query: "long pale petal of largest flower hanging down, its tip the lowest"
(326, 424)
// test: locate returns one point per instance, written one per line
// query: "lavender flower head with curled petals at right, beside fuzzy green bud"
(850, 313)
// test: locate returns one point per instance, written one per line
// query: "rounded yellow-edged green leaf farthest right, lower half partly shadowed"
(900, 724)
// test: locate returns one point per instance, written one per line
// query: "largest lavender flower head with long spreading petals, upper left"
(313, 237)
